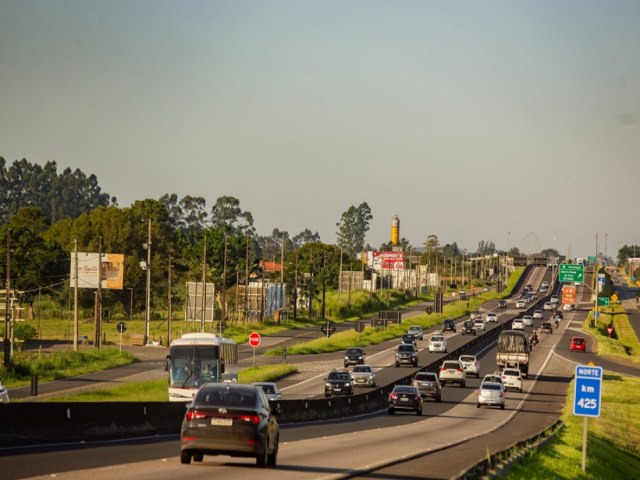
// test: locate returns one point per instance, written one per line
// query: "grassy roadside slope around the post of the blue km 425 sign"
(613, 450)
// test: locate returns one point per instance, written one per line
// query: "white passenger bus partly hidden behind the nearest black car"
(198, 358)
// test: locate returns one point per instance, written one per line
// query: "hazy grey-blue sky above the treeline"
(467, 119)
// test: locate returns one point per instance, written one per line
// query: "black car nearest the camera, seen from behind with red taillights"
(230, 419)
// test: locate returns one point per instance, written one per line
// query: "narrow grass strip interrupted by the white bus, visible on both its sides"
(156, 390)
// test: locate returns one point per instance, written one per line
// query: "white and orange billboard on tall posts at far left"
(112, 270)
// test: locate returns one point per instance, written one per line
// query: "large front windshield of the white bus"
(193, 365)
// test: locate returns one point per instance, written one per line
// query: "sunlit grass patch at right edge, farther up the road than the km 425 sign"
(623, 344)
